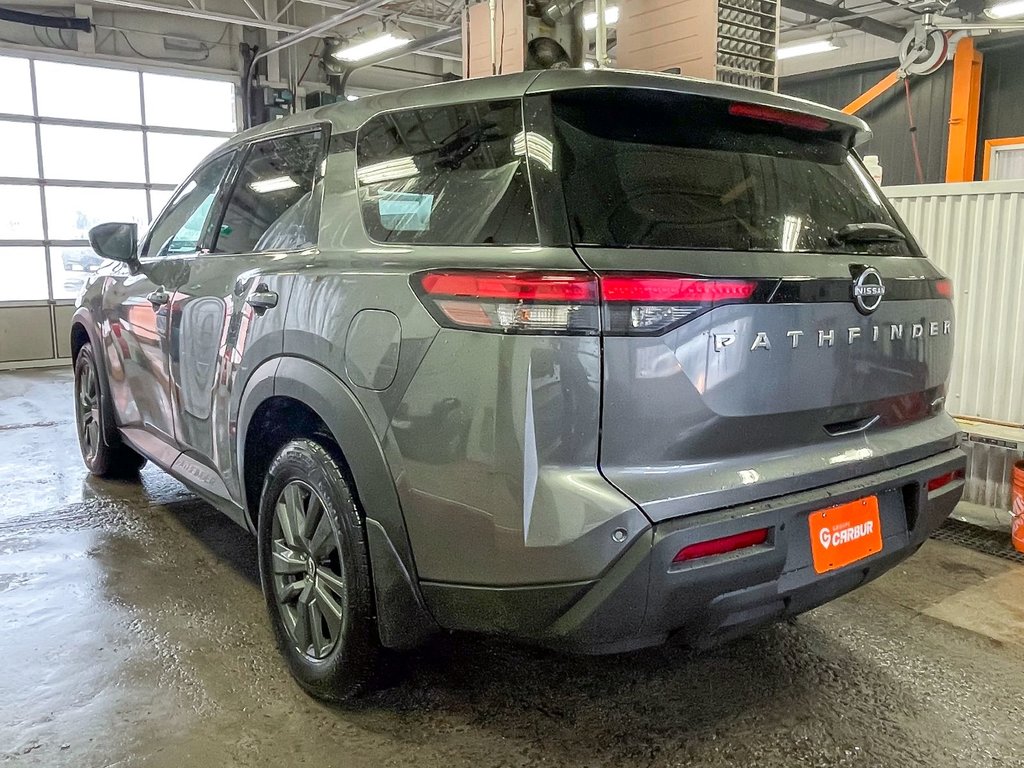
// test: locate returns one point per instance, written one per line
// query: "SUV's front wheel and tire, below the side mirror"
(103, 450)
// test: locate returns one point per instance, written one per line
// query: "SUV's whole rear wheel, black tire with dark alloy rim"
(315, 570)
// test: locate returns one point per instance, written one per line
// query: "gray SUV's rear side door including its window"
(230, 304)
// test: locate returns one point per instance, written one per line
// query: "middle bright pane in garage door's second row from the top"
(93, 154)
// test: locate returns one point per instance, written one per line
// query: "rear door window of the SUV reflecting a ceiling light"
(273, 206)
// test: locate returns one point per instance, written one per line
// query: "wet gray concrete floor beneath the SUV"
(133, 633)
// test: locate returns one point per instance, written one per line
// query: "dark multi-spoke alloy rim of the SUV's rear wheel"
(307, 571)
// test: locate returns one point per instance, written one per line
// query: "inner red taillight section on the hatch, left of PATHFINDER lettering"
(637, 305)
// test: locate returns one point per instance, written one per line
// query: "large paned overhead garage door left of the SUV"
(86, 145)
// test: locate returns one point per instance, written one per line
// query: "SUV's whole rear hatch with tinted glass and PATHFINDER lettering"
(769, 323)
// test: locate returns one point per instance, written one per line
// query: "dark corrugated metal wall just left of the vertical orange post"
(887, 116)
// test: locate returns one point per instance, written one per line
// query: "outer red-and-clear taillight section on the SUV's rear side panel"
(513, 303)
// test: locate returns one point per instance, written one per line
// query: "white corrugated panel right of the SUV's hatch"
(975, 234)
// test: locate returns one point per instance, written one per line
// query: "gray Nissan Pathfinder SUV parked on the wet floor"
(592, 360)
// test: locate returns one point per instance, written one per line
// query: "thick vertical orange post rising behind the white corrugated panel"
(964, 111)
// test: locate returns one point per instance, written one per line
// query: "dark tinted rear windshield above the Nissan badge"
(650, 169)
